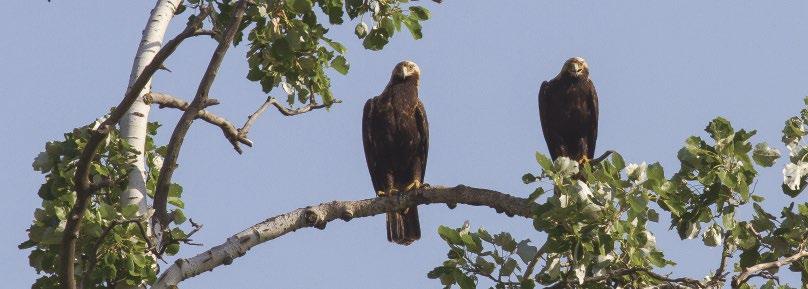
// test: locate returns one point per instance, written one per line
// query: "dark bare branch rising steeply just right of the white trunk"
(187, 118)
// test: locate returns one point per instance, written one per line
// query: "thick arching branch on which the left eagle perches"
(318, 216)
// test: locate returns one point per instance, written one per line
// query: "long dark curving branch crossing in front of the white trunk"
(84, 188)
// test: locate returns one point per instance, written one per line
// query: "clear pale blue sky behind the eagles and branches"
(662, 71)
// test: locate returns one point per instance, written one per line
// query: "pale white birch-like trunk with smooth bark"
(133, 124)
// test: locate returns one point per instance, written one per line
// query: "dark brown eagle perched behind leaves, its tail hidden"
(568, 108)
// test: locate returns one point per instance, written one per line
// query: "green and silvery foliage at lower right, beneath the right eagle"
(597, 234)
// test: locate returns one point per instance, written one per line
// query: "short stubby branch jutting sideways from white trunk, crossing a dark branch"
(228, 129)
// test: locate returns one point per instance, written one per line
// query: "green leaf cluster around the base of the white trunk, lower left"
(112, 241)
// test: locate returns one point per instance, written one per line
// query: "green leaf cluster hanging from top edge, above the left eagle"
(288, 43)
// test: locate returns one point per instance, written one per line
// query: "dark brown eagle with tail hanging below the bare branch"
(395, 133)
